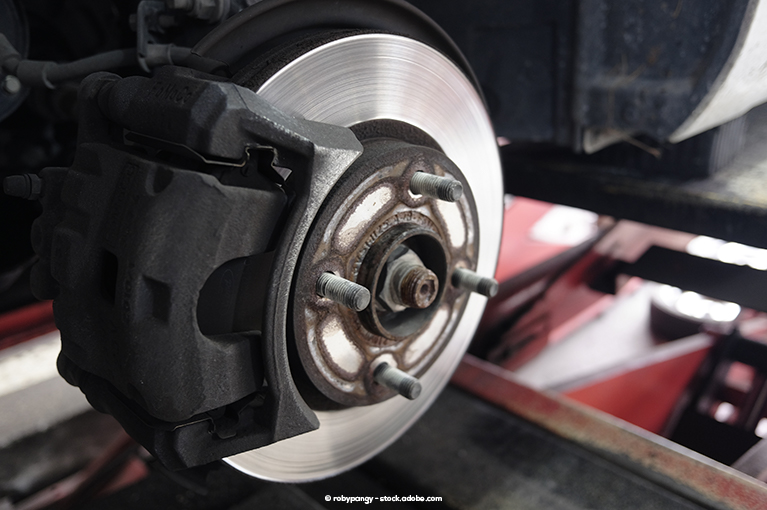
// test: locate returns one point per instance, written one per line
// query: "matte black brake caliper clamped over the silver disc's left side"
(157, 246)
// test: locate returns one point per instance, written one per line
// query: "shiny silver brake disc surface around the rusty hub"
(384, 77)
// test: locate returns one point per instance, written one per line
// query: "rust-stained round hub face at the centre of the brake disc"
(374, 231)
